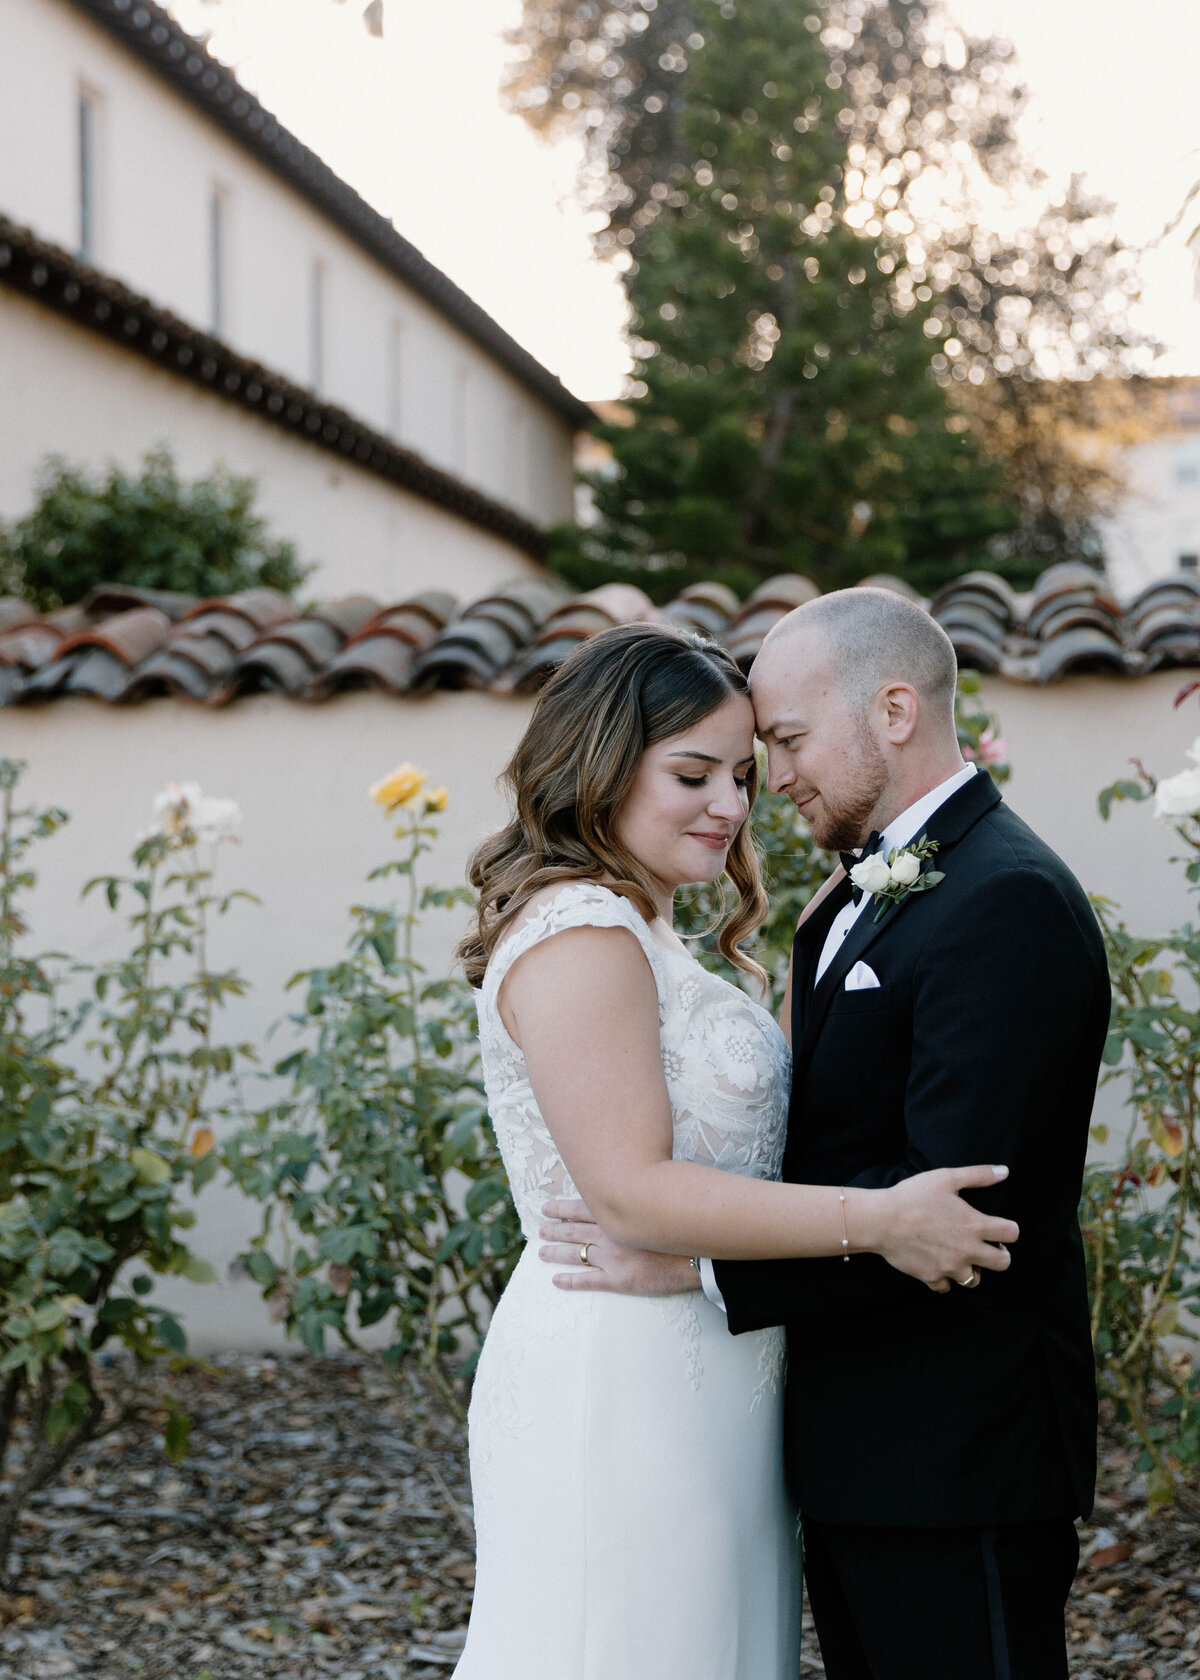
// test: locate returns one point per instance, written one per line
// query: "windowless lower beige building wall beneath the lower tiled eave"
(71, 392)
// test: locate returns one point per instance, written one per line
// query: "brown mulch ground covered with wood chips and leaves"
(322, 1528)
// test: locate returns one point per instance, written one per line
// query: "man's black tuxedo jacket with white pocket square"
(981, 1046)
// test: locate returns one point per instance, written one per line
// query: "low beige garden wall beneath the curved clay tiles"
(302, 774)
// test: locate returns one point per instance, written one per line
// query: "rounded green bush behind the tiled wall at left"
(149, 530)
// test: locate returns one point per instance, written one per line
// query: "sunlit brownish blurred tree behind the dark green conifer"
(1033, 308)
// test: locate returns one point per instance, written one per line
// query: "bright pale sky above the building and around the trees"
(414, 122)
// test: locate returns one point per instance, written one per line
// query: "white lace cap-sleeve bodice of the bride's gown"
(725, 1059)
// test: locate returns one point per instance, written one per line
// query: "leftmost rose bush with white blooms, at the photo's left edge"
(110, 1086)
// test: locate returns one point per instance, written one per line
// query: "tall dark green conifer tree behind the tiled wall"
(787, 411)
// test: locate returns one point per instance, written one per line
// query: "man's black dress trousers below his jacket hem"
(942, 1604)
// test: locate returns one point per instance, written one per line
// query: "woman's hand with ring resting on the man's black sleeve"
(939, 1237)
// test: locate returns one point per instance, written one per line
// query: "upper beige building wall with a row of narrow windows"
(384, 354)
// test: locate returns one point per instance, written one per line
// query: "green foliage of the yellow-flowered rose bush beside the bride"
(381, 1157)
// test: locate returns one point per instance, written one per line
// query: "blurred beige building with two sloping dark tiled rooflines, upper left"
(176, 268)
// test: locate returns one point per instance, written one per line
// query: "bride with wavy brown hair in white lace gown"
(626, 1454)
